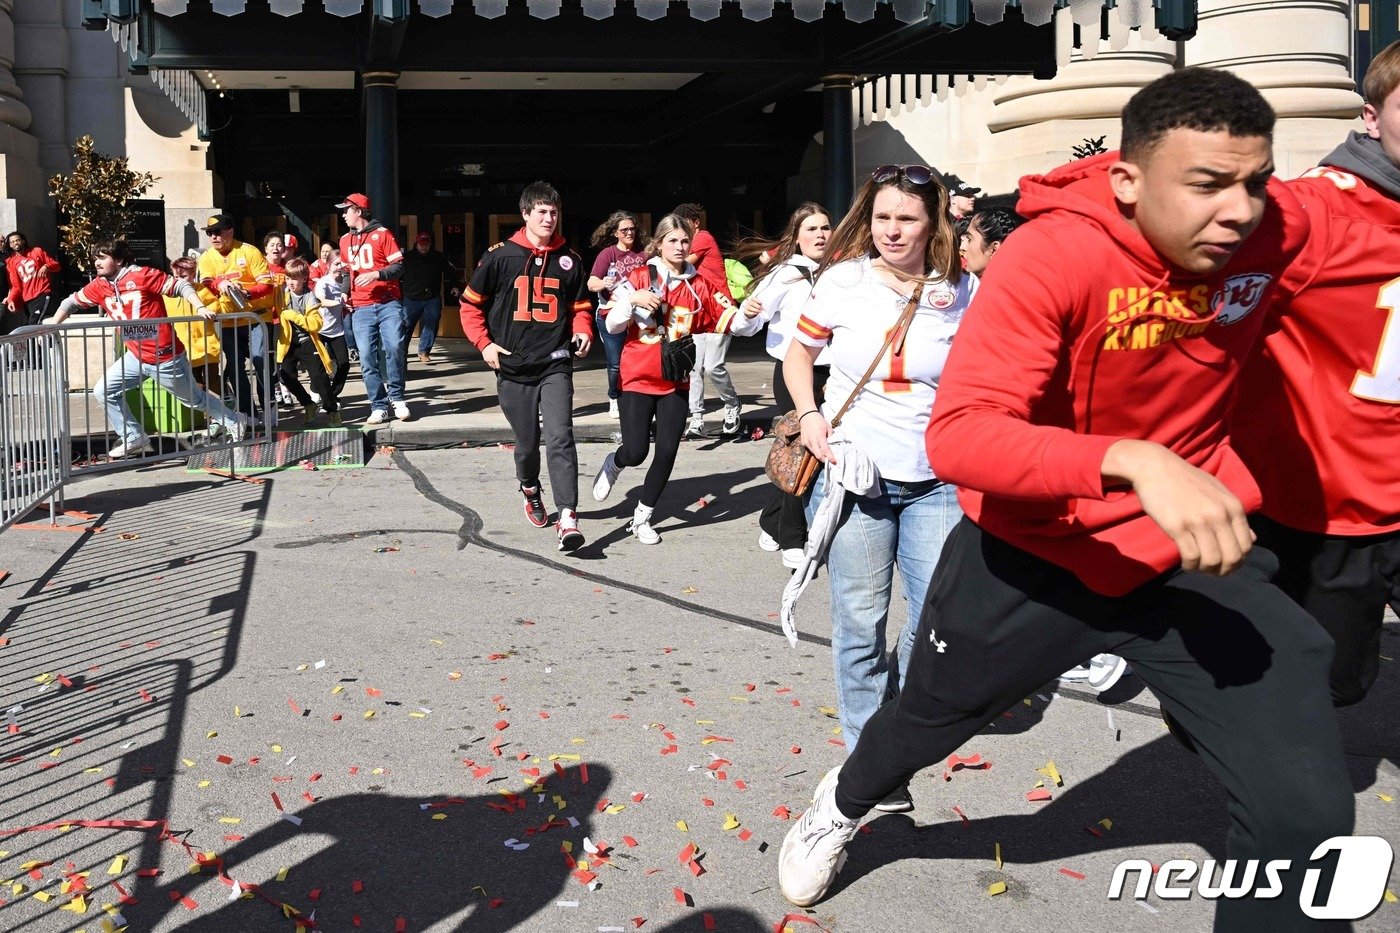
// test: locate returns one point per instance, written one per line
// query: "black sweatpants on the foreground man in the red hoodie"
(1233, 659)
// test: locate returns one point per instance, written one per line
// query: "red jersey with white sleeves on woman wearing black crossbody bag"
(694, 309)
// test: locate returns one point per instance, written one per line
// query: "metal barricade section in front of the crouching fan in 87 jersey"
(216, 396)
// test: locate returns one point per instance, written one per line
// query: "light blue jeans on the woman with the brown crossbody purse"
(906, 526)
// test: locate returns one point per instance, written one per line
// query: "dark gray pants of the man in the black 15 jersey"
(523, 406)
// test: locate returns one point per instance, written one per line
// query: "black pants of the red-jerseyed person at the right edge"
(1345, 583)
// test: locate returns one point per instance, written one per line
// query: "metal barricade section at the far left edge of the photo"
(34, 452)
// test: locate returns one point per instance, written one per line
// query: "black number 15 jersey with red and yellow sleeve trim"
(531, 302)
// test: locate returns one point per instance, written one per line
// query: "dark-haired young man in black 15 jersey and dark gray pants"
(527, 310)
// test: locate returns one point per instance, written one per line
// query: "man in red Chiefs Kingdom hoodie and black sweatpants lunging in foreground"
(1083, 414)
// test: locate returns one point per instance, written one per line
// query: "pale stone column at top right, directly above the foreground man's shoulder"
(1298, 53)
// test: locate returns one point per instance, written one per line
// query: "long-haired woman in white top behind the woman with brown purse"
(783, 285)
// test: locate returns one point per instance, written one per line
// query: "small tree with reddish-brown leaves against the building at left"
(93, 201)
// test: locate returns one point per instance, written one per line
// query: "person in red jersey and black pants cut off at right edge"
(1318, 421)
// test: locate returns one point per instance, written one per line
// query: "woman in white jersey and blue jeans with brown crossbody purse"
(894, 250)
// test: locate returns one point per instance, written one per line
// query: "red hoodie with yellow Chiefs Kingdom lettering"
(1083, 336)
